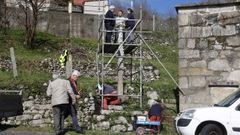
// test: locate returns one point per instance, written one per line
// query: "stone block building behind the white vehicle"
(209, 52)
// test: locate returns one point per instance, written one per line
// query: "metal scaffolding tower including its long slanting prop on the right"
(129, 48)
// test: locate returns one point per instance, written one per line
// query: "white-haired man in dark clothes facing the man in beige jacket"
(72, 107)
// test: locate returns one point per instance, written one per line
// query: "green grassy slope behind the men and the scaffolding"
(50, 46)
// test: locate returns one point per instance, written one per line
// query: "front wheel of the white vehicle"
(211, 129)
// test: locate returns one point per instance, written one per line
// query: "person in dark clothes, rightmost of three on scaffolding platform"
(130, 24)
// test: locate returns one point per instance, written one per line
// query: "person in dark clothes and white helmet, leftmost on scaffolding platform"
(109, 23)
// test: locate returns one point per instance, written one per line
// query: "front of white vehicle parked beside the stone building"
(220, 119)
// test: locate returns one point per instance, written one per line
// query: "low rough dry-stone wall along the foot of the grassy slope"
(38, 113)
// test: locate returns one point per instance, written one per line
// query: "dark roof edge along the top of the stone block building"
(204, 5)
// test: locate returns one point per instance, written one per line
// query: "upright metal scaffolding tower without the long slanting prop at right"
(109, 51)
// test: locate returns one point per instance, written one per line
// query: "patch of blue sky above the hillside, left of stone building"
(162, 6)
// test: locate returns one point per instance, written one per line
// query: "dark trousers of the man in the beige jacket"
(58, 118)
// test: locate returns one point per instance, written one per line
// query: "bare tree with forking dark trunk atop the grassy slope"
(31, 10)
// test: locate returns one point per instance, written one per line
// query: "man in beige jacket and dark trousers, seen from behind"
(59, 89)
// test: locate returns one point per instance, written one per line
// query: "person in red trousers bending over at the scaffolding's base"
(110, 96)
